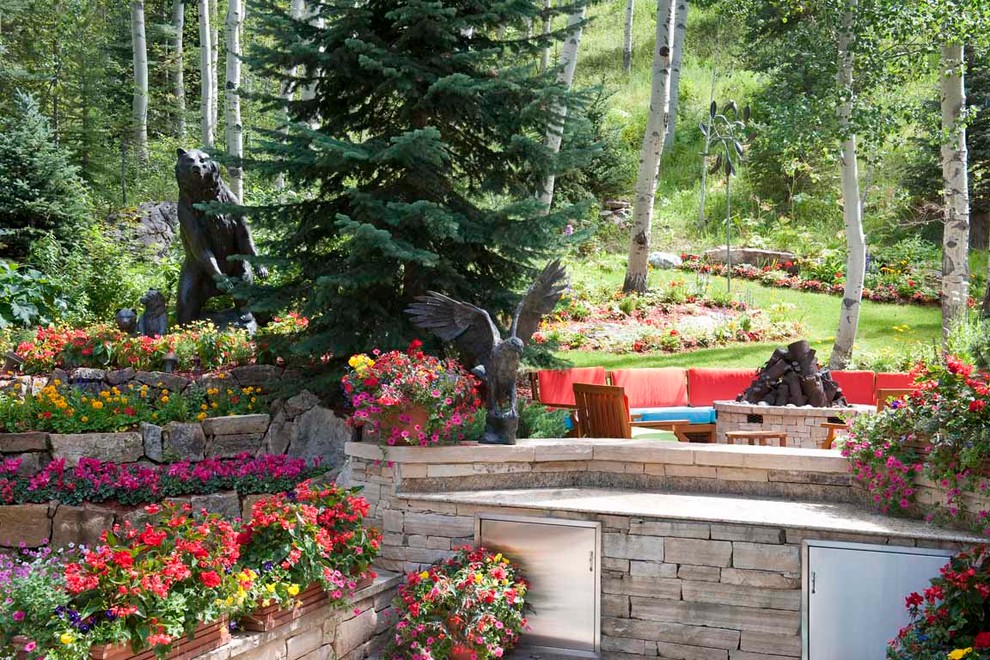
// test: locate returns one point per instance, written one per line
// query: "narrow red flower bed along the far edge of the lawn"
(901, 286)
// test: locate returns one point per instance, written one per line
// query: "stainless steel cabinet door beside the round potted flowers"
(560, 560)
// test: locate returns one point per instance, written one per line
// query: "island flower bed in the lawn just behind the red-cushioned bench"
(670, 320)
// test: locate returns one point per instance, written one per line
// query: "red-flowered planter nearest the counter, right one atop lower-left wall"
(310, 536)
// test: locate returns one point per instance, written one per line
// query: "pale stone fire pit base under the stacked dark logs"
(802, 424)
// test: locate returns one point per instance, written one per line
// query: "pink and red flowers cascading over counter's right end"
(929, 453)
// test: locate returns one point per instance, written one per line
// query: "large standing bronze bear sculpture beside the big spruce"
(209, 240)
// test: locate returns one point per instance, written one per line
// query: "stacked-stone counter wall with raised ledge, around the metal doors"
(673, 586)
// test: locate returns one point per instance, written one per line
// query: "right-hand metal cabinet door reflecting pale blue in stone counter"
(855, 596)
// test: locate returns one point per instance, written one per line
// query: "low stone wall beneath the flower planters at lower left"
(351, 633)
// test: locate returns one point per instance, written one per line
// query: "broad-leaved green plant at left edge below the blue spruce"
(27, 297)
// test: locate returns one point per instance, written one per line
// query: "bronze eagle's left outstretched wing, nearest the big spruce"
(469, 327)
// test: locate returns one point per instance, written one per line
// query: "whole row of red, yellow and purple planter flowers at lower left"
(147, 587)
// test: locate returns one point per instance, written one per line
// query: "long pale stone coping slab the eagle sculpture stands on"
(603, 449)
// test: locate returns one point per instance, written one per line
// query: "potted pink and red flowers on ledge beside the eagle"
(410, 398)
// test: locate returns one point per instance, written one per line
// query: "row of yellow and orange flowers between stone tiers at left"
(60, 408)
